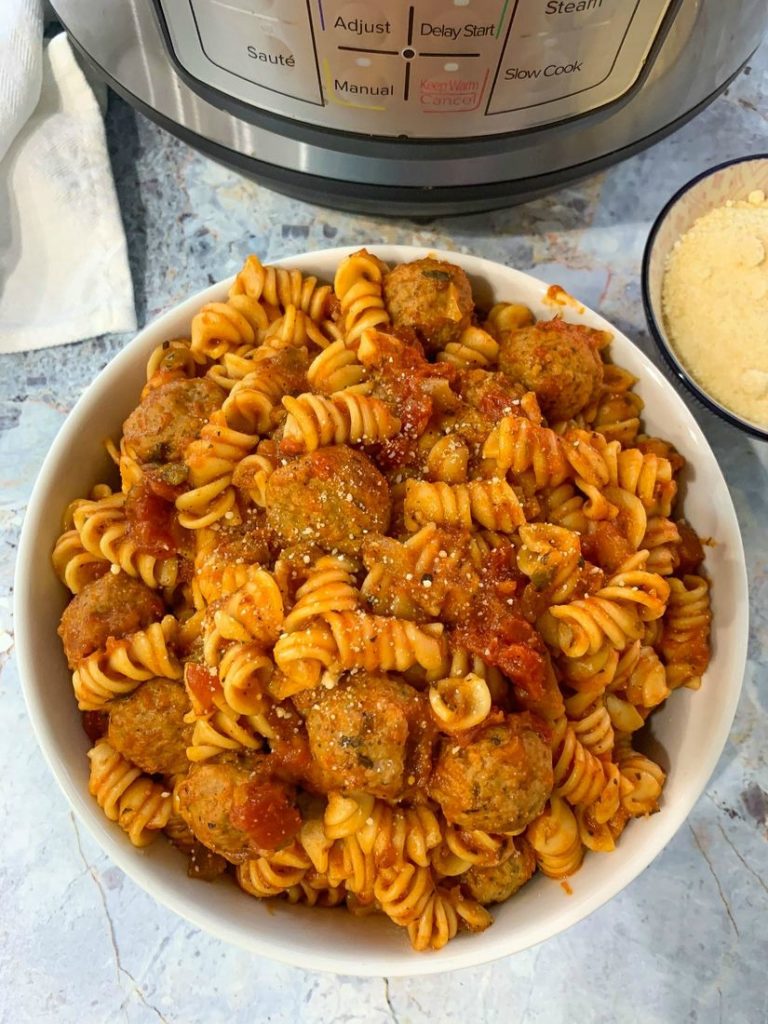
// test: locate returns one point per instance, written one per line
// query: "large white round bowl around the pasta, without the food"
(692, 729)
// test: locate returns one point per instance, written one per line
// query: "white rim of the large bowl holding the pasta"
(259, 942)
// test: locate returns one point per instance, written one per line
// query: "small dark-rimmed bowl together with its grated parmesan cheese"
(706, 290)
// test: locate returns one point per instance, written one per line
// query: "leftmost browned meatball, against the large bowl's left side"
(111, 607)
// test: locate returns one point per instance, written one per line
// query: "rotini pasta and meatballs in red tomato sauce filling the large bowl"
(388, 589)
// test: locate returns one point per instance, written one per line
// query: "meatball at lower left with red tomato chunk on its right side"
(236, 813)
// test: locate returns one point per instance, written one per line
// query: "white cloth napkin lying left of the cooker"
(64, 264)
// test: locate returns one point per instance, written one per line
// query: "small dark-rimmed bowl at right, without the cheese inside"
(732, 181)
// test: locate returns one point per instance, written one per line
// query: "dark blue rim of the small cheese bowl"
(658, 332)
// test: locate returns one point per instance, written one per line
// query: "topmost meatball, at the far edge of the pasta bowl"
(433, 298)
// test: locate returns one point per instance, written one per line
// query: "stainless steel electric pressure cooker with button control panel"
(422, 108)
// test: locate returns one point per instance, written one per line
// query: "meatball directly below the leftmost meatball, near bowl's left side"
(148, 728)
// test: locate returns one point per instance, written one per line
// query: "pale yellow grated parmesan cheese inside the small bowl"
(715, 305)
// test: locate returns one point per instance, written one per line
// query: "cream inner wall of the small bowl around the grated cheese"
(735, 182)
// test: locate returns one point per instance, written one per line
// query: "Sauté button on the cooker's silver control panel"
(260, 47)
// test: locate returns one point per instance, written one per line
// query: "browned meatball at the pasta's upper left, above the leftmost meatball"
(169, 418)
